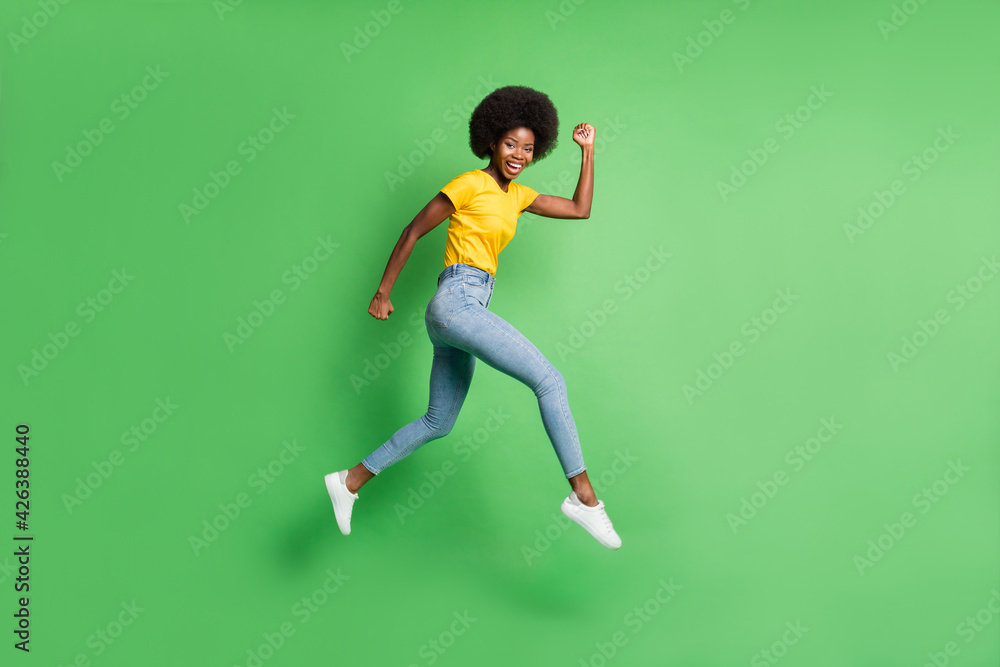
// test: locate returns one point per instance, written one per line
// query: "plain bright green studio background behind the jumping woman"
(668, 134)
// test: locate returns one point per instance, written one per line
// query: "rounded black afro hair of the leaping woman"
(509, 107)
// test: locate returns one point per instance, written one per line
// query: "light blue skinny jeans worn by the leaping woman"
(461, 329)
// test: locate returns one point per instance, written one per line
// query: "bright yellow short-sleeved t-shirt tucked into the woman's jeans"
(484, 219)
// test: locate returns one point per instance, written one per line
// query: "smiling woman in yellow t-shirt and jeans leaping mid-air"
(512, 126)
